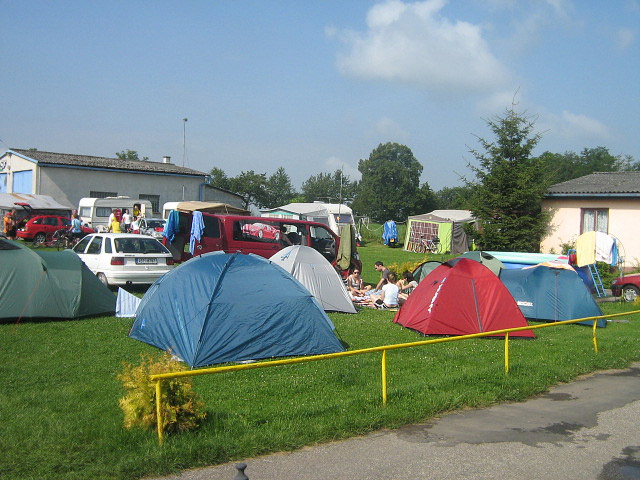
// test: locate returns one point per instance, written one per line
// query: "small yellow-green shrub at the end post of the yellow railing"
(181, 410)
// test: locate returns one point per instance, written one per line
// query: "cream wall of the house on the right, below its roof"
(564, 226)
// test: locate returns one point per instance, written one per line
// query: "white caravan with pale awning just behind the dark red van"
(333, 215)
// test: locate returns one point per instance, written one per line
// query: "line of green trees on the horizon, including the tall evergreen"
(504, 192)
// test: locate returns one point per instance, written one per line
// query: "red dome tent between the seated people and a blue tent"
(461, 297)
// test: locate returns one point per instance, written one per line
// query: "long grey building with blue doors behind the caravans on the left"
(69, 177)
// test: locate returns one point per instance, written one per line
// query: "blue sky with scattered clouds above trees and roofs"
(315, 86)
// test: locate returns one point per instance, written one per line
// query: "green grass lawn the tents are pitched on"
(59, 414)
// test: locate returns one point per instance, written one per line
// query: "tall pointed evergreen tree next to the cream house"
(509, 186)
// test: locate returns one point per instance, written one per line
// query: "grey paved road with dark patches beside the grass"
(588, 429)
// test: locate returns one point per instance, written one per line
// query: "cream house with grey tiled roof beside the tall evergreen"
(607, 202)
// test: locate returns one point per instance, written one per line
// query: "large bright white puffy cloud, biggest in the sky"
(413, 43)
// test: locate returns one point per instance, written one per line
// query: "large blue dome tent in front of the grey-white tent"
(221, 307)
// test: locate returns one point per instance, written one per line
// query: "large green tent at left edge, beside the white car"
(35, 284)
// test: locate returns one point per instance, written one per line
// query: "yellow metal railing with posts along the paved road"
(158, 378)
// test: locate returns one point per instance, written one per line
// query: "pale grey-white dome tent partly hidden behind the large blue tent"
(311, 269)
